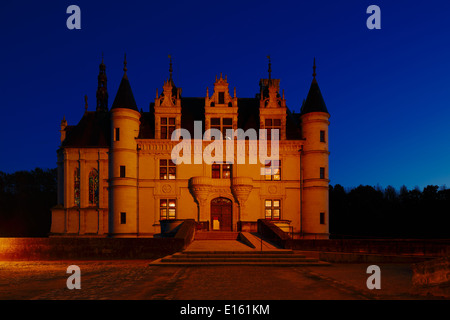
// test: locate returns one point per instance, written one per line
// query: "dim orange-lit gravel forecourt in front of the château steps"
(136, 280)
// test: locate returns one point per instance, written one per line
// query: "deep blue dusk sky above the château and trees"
(388, 90)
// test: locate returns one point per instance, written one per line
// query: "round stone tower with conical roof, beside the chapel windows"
(123, 208)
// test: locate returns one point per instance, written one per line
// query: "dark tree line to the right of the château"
(373, 212)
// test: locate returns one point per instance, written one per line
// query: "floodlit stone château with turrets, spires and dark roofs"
(116, 177)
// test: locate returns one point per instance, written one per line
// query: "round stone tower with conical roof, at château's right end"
(315, 170)
